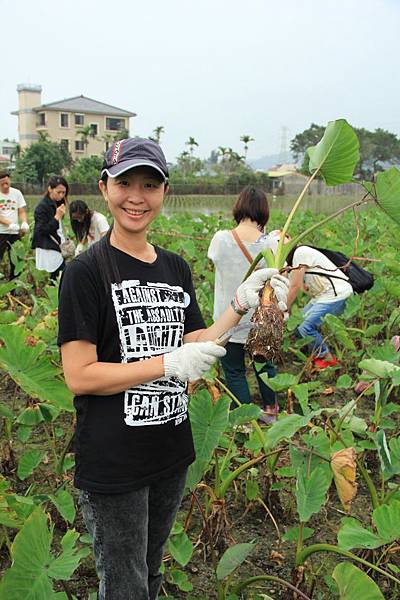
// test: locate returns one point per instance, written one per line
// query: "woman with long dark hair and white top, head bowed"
(89, 226)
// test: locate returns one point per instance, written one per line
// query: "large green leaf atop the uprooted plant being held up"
(336, 154)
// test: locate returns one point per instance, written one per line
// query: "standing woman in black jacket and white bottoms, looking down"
(48, 233)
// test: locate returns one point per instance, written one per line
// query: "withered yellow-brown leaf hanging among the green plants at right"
(343, 465)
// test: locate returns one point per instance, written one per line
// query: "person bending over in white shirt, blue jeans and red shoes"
(329, 289)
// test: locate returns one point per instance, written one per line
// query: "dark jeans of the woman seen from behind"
(234, 367)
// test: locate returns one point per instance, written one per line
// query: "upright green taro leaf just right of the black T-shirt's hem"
(208, 422)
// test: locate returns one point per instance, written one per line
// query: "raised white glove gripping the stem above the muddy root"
(247, 294)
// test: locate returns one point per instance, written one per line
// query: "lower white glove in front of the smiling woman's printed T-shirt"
(190, 361)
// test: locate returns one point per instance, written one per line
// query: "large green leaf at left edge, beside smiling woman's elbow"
(30, 367)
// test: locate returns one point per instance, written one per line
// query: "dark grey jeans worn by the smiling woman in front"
(129, 532)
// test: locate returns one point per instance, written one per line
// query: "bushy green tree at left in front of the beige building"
(41, 160)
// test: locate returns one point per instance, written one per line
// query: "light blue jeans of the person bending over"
(313, 313)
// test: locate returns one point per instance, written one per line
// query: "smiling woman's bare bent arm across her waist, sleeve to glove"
(85, 375)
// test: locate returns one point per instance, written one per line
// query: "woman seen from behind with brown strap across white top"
(232, 252)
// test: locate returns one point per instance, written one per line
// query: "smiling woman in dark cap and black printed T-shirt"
(131, 337)
